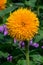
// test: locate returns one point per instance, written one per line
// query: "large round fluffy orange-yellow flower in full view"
(22, 24)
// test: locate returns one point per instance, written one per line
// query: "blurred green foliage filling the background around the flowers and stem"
(7, 45)
